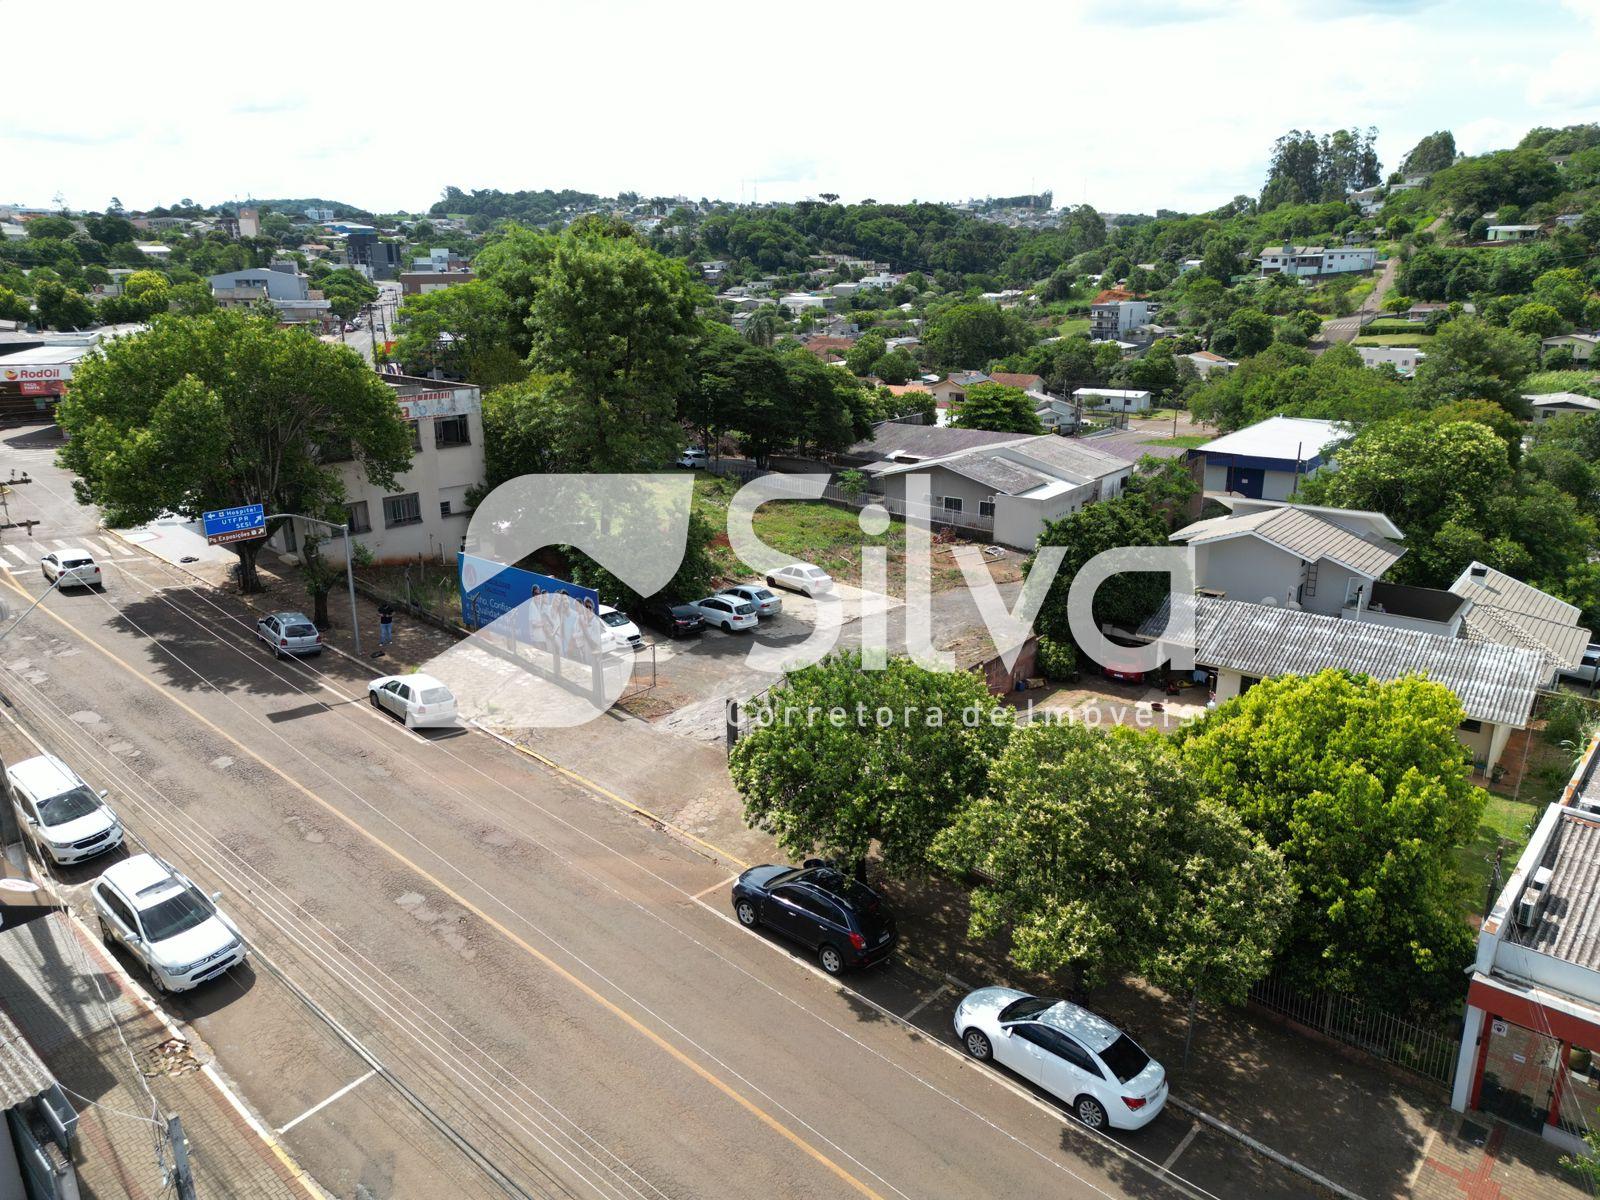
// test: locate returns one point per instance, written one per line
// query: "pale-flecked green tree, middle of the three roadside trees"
(1097, 854)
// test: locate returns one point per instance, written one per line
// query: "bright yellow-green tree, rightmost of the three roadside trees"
(1366, 791)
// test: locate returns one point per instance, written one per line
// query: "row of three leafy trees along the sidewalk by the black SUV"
(1308, 826)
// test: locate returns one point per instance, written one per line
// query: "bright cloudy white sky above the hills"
(1130, 108)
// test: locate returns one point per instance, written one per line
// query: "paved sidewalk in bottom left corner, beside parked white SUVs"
(105, 1046)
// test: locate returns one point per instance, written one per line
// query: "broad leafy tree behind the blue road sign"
(220, 410)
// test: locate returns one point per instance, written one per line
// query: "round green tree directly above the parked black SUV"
(842, 759)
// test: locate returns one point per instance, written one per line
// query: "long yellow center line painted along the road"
(514, 938)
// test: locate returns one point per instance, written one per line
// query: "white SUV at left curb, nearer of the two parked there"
(166, 922)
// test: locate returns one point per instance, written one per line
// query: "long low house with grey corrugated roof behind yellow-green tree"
(1239, 644)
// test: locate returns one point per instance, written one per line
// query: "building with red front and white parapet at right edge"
(1530, 1042)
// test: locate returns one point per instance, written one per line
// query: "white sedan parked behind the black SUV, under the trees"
(1074, 1055)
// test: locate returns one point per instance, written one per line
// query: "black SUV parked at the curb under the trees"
(822, 908)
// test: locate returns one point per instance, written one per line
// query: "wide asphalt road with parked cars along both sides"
(526, 990)
